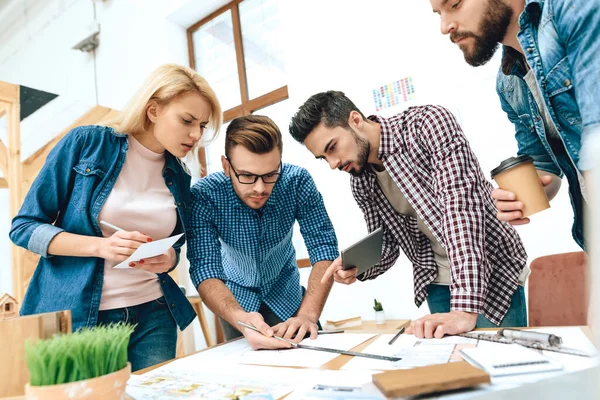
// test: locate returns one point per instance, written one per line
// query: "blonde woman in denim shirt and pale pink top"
(129, 175)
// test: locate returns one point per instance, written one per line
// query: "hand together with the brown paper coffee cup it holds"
(521, 191)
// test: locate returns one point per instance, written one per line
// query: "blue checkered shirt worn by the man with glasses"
(252, 252)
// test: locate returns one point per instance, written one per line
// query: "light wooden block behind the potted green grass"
(14, 333)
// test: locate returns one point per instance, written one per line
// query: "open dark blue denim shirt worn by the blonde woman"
(68, 195)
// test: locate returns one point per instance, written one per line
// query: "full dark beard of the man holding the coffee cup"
(494, 26)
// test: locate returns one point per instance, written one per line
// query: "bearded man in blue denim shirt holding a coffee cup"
(548, 84)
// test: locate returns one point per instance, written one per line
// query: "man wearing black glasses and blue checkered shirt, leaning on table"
(240, 249)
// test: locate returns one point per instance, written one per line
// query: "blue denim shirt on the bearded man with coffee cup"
(560, 43)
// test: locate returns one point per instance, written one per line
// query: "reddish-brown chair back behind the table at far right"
(558, 287)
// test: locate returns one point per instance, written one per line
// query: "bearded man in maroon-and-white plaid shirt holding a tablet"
(415, 175)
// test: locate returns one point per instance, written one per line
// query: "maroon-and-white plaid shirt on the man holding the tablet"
(427, 155)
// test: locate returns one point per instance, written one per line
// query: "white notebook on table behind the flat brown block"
(509, 359)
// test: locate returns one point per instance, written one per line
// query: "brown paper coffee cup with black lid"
(518, 175)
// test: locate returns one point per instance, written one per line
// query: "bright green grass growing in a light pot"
(89, 364)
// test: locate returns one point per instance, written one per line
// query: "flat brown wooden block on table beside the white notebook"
(430, 379)
